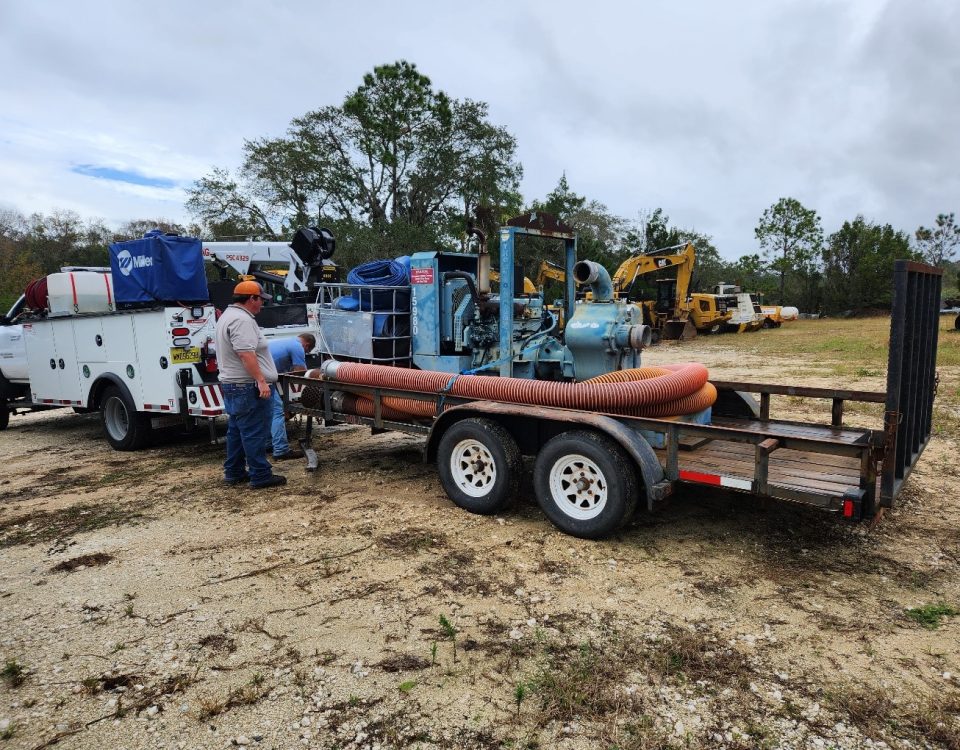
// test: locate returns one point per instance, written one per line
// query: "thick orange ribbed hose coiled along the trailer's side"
(641, 392)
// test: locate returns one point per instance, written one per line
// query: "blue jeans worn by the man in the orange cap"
(247, 430)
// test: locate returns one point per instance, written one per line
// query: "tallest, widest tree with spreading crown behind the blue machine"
(397, 158)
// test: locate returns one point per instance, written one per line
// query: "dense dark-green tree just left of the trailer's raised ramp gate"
(858, 265)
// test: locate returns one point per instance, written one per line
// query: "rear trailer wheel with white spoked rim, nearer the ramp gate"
(585, 484)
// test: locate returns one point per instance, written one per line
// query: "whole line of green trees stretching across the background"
(400, 166)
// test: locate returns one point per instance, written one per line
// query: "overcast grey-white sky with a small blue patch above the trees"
(710, 110)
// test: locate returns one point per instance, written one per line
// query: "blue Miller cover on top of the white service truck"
(158, 268)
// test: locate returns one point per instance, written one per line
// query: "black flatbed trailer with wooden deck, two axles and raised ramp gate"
(620, 461)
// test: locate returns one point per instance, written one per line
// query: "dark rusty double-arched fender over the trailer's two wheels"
(532, 426)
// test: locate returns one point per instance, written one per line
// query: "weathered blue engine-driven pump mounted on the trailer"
(458, 325)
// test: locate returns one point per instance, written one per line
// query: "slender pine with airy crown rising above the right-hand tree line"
(790, 237)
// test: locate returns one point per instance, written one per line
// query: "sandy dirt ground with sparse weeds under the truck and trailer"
(145, 605)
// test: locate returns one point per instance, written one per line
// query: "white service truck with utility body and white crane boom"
(140, 368)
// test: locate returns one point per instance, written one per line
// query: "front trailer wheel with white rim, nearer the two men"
(479, 465)
